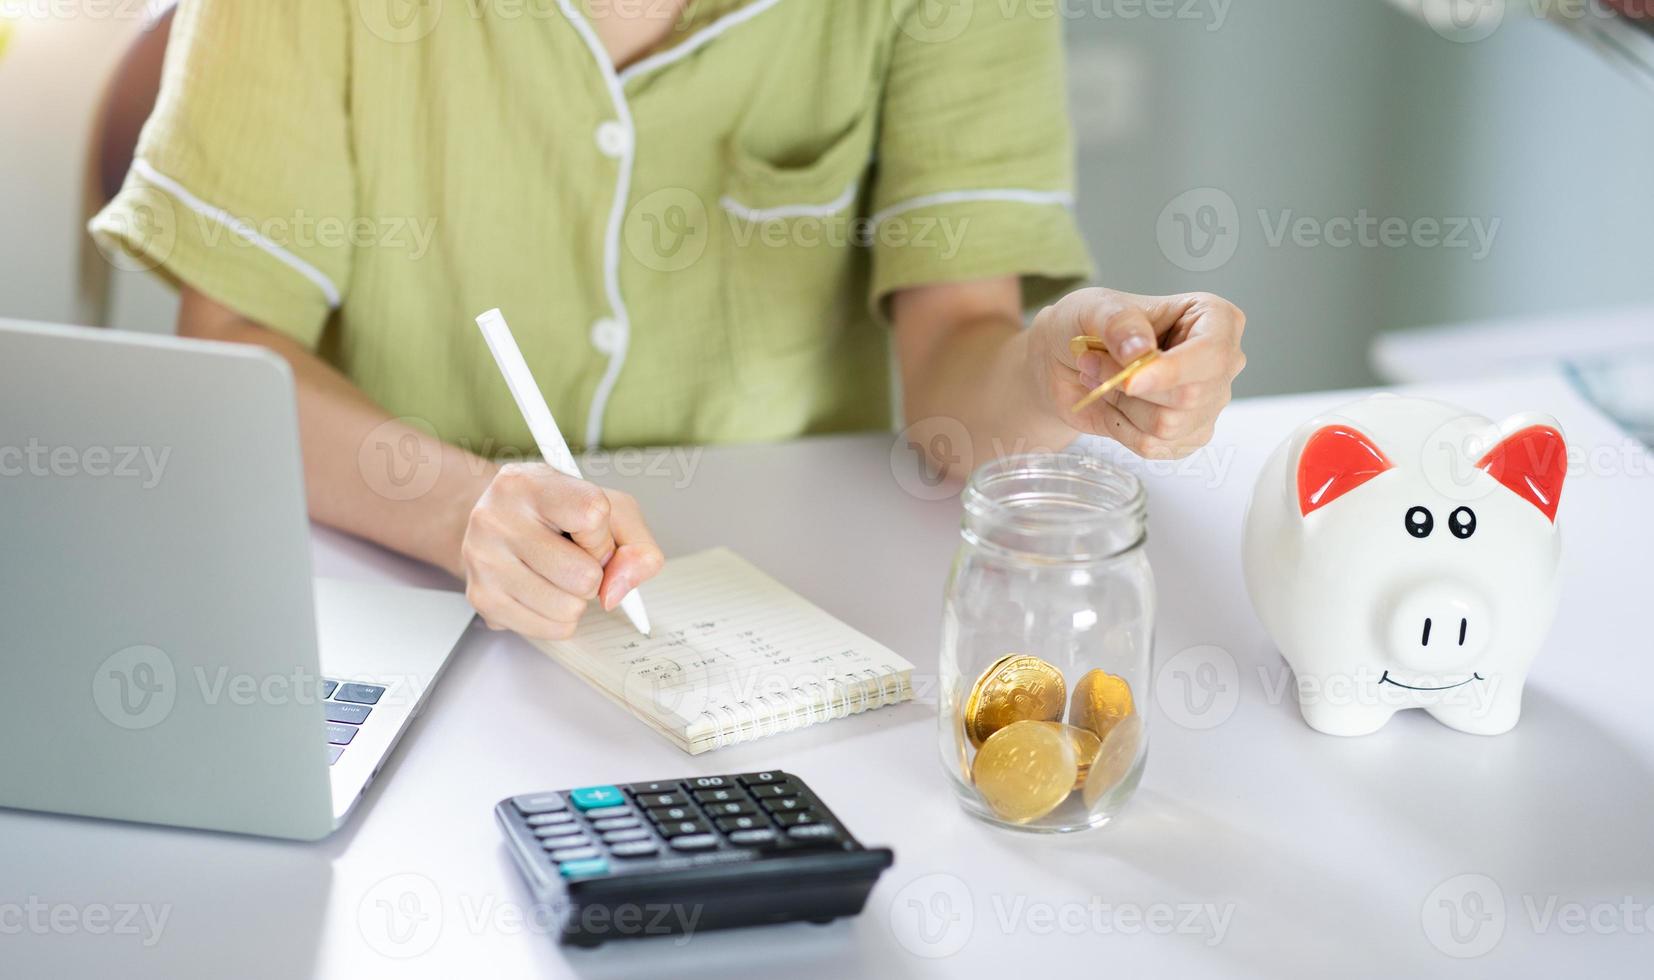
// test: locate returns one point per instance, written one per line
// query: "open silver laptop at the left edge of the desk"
(166, 655)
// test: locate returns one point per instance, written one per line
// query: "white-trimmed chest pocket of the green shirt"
(795, 252)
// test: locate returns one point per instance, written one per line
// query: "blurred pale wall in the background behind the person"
(1319, 110)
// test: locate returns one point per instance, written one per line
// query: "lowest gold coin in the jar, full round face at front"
(1025, 771)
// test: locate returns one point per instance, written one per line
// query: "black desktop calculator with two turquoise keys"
(689, 855)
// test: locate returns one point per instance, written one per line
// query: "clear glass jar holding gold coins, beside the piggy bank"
(1048, 637)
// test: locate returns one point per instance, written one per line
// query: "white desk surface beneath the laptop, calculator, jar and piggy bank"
(1317, 857)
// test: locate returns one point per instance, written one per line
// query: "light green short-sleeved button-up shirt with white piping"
(692, 250)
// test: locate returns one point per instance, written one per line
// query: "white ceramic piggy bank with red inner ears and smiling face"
(1403, 554)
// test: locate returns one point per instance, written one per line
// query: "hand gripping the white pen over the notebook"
(522, 573)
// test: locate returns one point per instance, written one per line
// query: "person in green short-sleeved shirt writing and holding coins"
(707, 221)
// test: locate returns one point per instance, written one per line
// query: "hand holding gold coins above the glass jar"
(1169, 409)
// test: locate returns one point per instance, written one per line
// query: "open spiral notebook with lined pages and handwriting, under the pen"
(735, 657)
